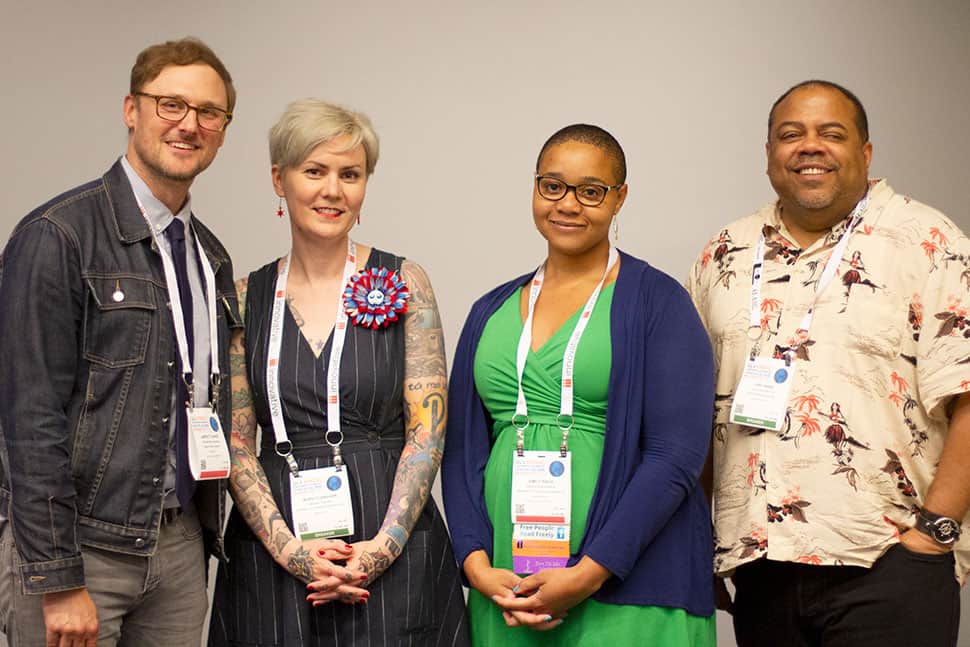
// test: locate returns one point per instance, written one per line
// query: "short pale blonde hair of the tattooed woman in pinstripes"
(310, 122)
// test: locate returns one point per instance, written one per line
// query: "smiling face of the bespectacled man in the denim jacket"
(168, 155)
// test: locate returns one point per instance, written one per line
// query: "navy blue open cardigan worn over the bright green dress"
(649, 522)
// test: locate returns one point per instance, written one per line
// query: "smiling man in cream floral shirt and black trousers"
(841, 459)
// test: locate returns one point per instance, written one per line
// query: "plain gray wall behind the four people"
(463, 94)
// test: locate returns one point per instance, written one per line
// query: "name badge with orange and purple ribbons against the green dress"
(541, 504)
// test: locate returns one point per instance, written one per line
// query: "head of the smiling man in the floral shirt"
(817, 161)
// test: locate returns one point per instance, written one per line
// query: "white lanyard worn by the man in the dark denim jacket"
(178, 320)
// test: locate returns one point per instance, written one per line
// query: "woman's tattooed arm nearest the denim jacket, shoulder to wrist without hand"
(247, 482)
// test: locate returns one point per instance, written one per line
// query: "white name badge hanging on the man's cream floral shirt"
(761, 399)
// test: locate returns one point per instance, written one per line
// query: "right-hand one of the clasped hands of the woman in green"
(546, 596)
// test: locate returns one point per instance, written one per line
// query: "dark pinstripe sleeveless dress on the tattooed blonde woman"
(418, 600)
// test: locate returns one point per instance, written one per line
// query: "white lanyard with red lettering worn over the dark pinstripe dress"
(334, 436)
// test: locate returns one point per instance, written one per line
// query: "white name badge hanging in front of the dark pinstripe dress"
(320, 500)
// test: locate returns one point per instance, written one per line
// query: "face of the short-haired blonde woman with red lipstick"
(325, 192)
